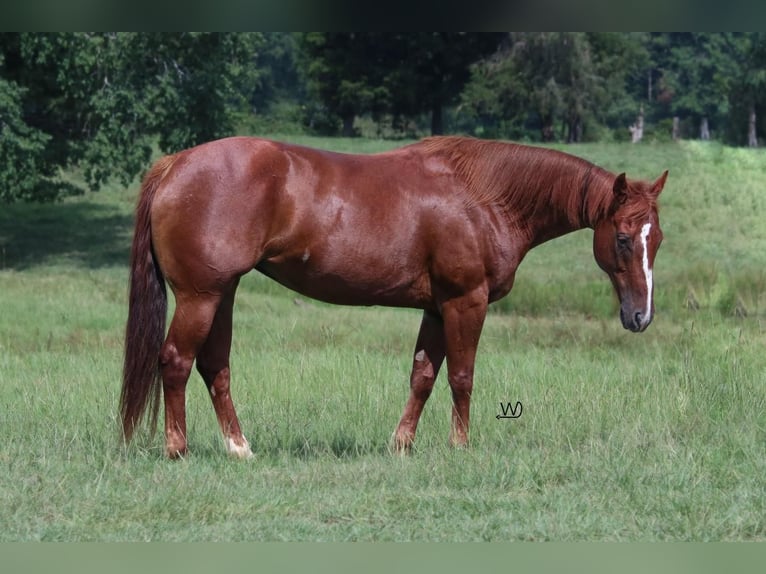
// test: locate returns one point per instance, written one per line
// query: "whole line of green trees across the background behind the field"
(100, 103)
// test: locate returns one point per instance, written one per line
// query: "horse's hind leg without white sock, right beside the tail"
(188, 330)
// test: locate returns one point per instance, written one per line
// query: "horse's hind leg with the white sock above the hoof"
(213, 365)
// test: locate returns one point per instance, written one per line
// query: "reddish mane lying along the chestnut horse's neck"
(526, 178)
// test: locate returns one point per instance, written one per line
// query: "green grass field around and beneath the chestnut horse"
(658, 436)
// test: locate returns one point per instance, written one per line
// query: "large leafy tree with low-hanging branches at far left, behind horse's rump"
(100, 100)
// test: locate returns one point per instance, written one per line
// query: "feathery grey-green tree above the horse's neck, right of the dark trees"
(560, 83)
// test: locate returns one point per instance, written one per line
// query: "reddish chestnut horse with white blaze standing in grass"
(440, 225)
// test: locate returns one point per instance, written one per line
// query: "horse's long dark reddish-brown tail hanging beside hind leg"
(147, 310)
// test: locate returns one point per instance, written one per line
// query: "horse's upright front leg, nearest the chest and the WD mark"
(463, 321)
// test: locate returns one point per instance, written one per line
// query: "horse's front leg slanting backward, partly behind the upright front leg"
(428, 358)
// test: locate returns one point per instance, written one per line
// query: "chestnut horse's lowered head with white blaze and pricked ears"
(625, 244)
